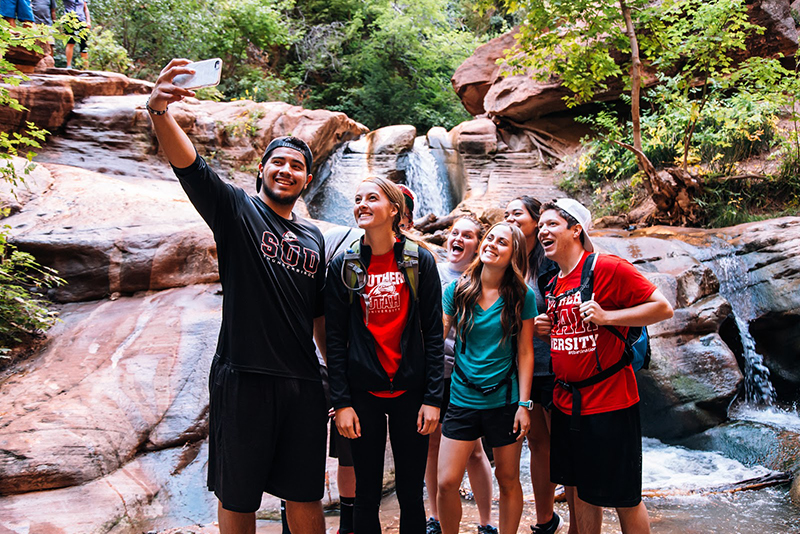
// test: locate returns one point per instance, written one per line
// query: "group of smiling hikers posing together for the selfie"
(453, 358)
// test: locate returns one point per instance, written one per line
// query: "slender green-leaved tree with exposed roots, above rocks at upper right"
(590, 44)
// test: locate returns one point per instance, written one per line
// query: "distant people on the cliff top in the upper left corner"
(44, 12)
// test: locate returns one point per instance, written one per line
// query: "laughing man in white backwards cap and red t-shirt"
(600, 464)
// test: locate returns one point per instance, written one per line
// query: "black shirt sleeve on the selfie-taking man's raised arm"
(211, 197)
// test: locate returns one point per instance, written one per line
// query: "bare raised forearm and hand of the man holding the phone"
(173, 140)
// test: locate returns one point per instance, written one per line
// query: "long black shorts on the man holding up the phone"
(266, 434)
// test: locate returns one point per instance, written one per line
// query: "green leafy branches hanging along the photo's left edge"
(20, 309)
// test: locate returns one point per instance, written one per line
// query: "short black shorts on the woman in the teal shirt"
(469, 424)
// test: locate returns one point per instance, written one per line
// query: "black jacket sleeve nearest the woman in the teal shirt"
(430, 314)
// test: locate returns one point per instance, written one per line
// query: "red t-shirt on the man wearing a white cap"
(617, 285)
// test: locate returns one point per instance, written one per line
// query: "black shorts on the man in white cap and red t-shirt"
(603, 461)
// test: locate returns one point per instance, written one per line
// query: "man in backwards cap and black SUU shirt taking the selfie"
(267, 421)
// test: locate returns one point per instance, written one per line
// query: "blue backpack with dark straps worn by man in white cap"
(636, 352)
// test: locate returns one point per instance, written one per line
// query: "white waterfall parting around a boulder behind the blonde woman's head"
(331, 198)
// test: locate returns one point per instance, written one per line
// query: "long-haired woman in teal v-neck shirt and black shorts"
(492, 311)
